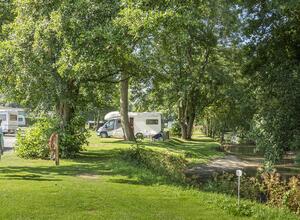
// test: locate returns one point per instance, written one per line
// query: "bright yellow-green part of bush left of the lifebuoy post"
(33, 142)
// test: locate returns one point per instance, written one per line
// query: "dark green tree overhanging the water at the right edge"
(273, 39)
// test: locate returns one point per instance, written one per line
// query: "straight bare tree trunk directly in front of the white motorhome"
(128, 132)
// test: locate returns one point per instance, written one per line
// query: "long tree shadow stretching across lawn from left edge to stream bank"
(102, 163)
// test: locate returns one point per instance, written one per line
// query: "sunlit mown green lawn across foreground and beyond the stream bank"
(100, 185)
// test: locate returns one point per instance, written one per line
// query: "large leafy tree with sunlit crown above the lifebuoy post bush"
(55, 50)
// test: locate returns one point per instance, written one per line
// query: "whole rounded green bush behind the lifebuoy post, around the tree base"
(33, 143)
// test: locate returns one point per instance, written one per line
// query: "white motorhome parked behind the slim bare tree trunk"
(143, 123)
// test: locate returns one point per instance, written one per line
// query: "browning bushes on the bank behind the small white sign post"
(267, 187)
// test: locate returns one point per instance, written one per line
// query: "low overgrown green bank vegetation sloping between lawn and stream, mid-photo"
(162, 163)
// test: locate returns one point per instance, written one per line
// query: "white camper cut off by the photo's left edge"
(9, 120)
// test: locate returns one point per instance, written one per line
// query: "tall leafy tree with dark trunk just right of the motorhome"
(184, 39)
